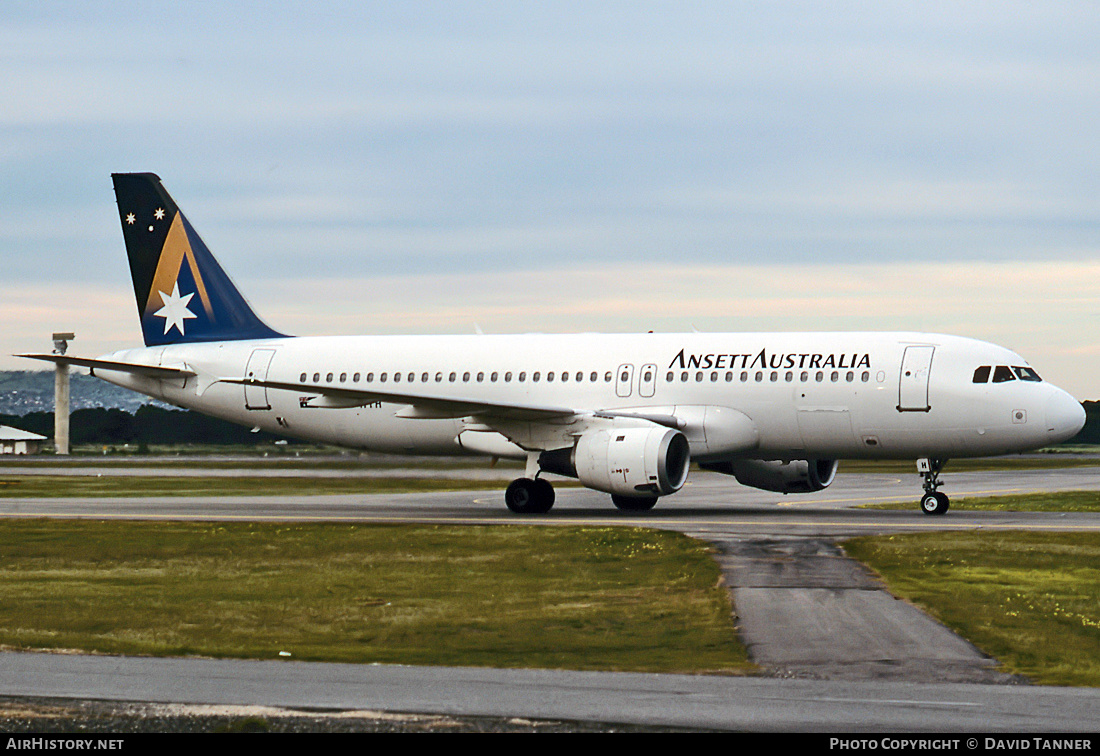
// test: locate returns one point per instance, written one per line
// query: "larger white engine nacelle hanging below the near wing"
(647, 462)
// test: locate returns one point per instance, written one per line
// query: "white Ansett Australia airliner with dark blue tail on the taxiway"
(623, 414)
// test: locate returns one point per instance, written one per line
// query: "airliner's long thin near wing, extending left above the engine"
(421, 407)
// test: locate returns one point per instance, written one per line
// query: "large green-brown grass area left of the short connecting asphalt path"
(617, 599)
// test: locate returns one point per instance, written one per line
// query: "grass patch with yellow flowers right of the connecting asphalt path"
(1030, 600)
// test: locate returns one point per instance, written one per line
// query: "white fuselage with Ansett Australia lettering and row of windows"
(808, 396)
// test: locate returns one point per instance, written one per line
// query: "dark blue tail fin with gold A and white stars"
(183, 294)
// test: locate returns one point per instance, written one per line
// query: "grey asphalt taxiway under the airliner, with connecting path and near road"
(838, 652)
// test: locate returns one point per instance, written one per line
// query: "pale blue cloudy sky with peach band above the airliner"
(439, 168)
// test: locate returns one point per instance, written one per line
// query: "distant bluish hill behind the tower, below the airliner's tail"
(30, 391)
